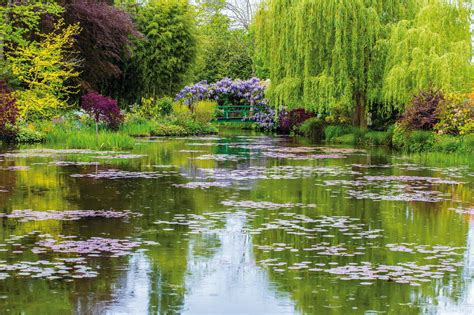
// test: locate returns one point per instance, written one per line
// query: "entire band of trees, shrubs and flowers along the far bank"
(328, 69)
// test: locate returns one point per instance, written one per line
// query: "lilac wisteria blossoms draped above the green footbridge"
(226, 91)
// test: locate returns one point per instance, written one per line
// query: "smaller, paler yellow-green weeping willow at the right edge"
(432, 50)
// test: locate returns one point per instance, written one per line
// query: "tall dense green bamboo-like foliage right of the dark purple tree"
(161, 61)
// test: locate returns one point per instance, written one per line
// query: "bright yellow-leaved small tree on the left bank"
(44, 72)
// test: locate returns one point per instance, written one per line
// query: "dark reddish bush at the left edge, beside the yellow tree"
(8, 112)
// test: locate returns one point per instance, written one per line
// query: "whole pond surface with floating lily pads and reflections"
(233, 224)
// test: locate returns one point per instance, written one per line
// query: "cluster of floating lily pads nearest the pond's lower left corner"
(74, 266)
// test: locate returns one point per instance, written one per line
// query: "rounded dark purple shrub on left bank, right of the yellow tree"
(102, 109)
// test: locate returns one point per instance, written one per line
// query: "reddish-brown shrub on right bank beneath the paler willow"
(421, 111)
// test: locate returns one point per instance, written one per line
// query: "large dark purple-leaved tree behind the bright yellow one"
(103, 42)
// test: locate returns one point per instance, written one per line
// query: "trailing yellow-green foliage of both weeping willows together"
(360, 56)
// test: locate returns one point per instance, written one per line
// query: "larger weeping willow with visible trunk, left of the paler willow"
(334, 55)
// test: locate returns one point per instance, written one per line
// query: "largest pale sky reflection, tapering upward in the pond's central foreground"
(230, 282)
